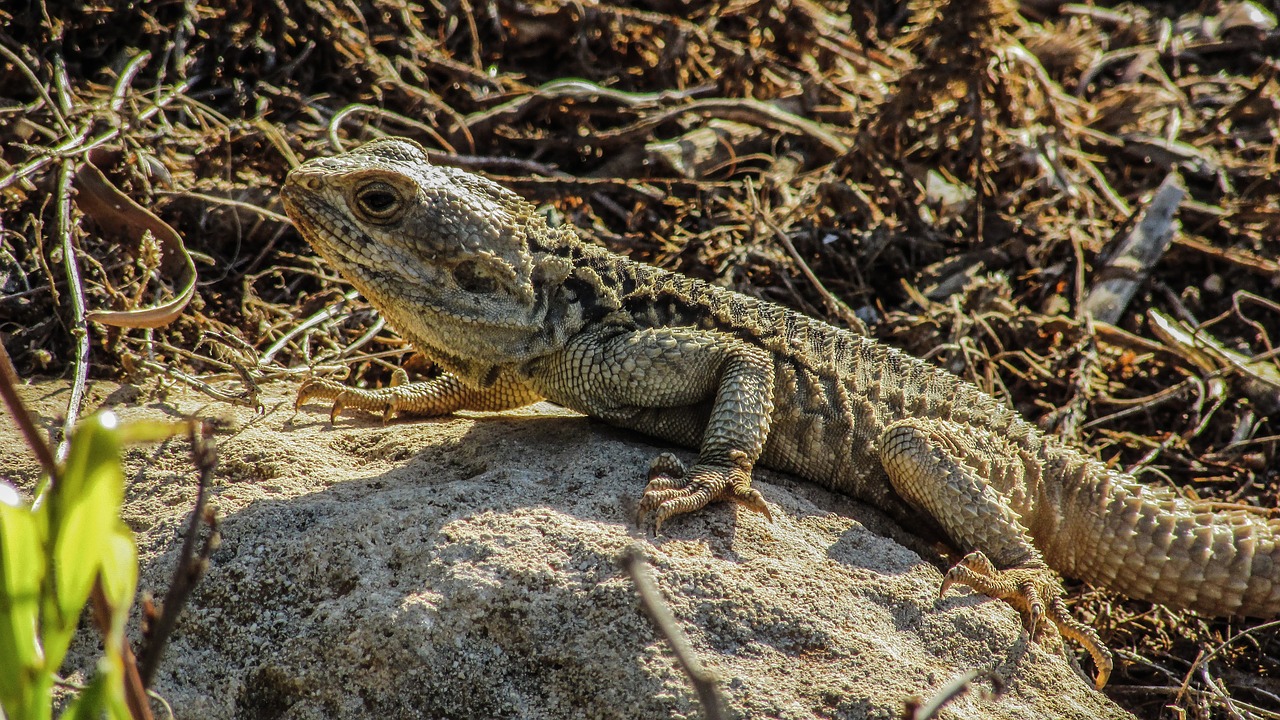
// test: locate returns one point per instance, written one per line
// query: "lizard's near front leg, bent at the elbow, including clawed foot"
(689, 386)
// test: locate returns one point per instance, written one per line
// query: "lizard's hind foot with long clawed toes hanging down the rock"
(1036, 594)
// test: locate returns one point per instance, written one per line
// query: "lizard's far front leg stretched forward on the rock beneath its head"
(438, 397)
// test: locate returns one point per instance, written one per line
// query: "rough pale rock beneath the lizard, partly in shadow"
(468, 568)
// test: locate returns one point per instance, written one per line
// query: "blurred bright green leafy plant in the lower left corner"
(51, 559)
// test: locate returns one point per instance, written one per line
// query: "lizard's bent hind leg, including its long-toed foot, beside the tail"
(949, 472)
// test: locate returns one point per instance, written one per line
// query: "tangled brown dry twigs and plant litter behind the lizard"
(954, 174)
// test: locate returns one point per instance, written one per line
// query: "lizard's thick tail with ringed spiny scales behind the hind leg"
(1150, 544)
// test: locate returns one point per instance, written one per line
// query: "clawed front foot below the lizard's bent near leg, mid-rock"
(674, 491)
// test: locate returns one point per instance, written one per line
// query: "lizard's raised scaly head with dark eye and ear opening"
(444, 254)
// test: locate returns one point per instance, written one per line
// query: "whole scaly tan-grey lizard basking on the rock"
(515, 311)
